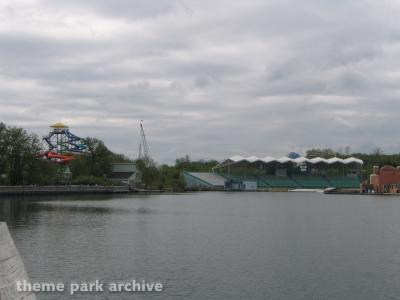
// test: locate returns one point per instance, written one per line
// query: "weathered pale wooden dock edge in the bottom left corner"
(12, 268)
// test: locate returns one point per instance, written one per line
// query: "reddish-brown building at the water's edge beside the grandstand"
(385, 179)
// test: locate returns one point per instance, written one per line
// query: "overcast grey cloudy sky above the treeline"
(209, 78)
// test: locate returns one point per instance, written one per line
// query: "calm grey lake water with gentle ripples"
(214, 245)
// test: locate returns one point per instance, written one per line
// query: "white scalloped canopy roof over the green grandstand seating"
(269, 159)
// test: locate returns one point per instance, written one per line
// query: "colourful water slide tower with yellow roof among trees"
(63, 146)
